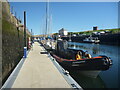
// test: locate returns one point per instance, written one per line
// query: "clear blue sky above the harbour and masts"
(73, 16)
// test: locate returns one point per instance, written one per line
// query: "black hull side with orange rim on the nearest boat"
(97, 63)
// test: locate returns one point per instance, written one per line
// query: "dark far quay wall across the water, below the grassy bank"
(110, 39)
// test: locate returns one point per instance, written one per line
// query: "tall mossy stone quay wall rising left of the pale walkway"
(12, 41)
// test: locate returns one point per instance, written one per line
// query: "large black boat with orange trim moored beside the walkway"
(89, 66)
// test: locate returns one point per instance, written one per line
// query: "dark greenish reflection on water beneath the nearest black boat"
(87, 82)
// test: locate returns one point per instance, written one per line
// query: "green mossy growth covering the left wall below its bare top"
(12, 46)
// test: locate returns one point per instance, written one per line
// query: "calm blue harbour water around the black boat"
(106, 79)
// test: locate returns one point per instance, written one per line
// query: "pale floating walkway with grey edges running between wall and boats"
(37, 71)
